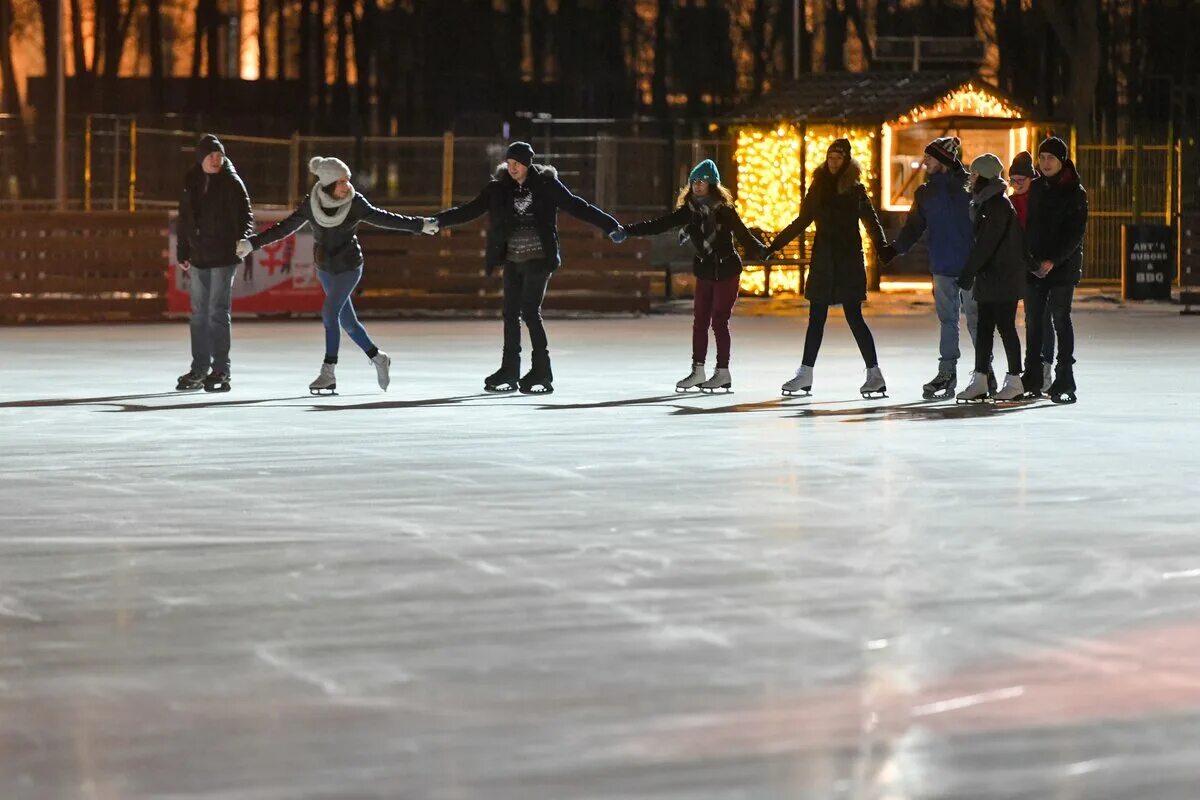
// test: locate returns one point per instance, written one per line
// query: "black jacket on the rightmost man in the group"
(1057, 225)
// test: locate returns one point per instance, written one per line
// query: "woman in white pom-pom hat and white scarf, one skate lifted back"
(335, 212)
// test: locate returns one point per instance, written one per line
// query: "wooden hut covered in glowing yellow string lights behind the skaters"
(889, 118)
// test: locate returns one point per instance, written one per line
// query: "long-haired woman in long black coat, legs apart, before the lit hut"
(837, 202)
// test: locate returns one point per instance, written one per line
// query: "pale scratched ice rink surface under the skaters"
(613, 592)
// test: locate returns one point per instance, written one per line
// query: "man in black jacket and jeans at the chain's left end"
(214, 215)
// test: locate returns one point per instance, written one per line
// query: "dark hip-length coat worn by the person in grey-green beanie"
(999, 262)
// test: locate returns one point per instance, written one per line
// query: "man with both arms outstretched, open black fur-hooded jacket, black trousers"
(523, 203)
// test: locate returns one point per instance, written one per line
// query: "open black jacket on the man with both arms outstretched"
(549, 197)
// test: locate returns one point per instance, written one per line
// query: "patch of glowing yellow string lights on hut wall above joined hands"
(770, 178)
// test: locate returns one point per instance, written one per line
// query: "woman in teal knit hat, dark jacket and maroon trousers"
(707, 219)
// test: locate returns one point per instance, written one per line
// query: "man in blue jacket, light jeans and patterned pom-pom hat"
(940, 213)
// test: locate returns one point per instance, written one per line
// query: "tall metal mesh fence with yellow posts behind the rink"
(116, 165)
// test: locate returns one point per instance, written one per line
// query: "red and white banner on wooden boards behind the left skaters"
(278, 279)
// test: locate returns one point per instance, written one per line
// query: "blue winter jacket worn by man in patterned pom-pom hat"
(940, 212)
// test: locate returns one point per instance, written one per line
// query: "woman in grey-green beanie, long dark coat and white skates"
(995, 273)
